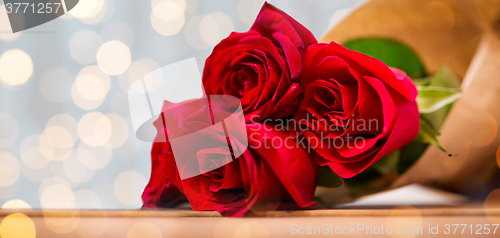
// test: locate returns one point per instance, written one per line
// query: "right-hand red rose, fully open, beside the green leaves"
(355, 109)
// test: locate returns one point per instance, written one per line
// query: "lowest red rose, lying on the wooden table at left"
(266, 176)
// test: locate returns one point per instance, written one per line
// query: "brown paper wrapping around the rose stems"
(465, 36)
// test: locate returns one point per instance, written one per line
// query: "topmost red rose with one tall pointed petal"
(261, 66)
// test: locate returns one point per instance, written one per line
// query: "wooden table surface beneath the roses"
(362, 222)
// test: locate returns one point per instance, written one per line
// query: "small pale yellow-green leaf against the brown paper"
(432, 98)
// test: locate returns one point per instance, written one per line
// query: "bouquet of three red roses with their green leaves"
(314, 113)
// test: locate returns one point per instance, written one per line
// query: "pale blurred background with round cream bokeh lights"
(66, 139)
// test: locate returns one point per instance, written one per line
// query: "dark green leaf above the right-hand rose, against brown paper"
(391, 52)
